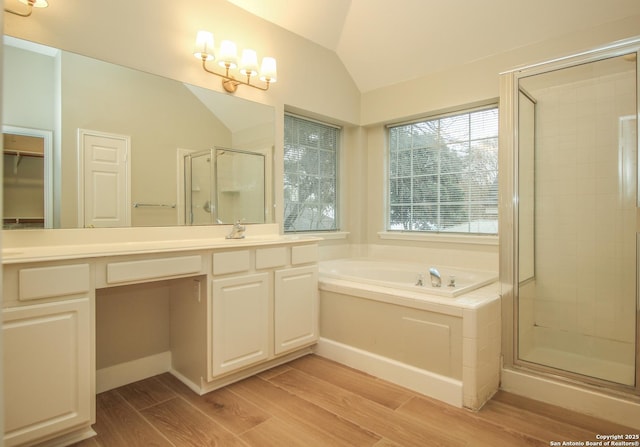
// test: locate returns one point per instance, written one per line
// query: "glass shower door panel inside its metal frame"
(576, 167)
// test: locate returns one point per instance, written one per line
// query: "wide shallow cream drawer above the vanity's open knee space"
(149, 269)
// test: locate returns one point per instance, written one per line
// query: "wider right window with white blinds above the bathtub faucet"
(443, 174)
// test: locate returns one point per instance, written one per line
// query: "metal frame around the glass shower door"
(509, 211)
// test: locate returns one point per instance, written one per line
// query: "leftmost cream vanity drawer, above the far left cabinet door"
(53, 281)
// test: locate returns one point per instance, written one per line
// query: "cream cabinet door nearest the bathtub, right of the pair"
(296, 308)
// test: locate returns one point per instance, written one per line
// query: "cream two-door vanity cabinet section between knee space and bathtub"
(262, 311)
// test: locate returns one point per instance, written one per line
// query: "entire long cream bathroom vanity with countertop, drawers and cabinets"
(237, 307)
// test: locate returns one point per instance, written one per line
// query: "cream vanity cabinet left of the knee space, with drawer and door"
(48, 345)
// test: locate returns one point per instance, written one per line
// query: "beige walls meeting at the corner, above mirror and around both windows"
(159, 39)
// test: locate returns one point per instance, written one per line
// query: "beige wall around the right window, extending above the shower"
(469, 84)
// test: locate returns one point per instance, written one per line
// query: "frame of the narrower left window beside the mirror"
(337, 157)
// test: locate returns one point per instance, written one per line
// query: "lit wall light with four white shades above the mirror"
(228, 59)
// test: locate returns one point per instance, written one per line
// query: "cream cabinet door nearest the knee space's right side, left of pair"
(240, 322)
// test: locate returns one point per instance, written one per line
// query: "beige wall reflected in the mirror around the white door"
(159, 116)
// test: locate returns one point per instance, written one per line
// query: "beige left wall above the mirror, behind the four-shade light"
(159, 39)
